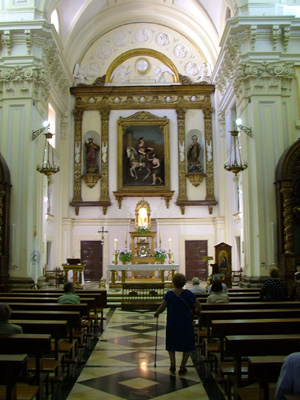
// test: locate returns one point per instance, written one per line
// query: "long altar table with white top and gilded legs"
(140, 267)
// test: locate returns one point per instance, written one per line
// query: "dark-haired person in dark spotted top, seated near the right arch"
(274, 289)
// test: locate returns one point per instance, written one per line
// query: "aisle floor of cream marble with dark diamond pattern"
(121, 366)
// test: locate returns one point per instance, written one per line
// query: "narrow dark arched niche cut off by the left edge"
(5, 188)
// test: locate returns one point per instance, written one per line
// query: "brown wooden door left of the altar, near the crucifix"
(91, 256)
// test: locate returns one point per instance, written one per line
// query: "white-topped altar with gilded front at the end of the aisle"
(157, 272)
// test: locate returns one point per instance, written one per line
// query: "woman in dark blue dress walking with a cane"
(180, 331)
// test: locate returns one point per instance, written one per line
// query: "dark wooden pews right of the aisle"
(245, 342)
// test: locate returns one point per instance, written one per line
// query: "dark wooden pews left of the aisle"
(53, 340)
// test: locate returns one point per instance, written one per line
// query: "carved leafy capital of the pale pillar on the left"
(24, 82)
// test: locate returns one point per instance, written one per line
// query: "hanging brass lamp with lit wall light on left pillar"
(48, 167)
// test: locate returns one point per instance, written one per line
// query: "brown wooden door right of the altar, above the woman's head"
(194, 265)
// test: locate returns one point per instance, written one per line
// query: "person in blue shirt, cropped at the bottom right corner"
(288, 381)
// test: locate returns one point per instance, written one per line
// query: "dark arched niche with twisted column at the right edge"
(287, 182)
